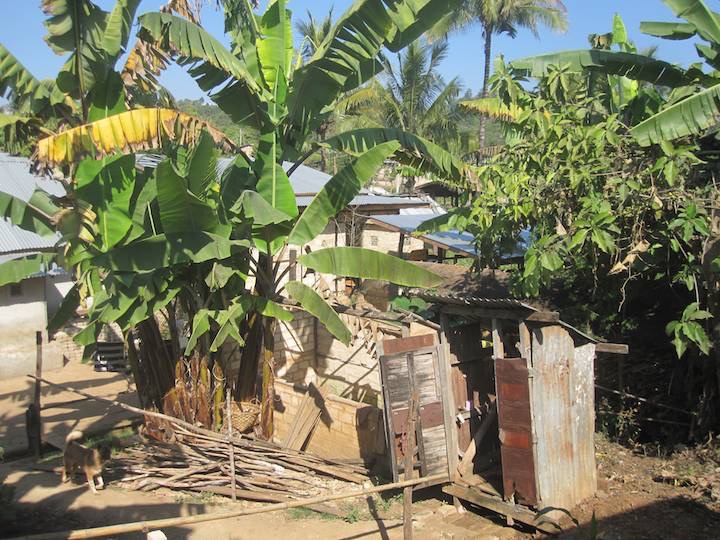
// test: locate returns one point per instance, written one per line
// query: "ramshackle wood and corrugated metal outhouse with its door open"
(506, 401)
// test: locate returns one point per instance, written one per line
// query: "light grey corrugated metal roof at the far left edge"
(17, 180)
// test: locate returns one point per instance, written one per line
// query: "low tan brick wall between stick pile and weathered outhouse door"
(347, 429)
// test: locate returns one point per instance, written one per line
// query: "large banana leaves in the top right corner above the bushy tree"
(695, 103)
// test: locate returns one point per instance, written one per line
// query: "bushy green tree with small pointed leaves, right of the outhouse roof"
(600, 210)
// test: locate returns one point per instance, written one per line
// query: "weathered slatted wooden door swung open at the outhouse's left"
(410, 365)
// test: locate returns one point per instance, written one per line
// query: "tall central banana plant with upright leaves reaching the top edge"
(262, 82)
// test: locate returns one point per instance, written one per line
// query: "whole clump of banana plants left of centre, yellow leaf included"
(184, 235)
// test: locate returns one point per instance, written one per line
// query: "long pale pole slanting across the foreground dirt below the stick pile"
(125, 528)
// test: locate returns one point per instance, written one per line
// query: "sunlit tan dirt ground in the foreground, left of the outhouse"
(37, 502)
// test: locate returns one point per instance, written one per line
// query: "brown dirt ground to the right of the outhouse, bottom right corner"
(644, 496)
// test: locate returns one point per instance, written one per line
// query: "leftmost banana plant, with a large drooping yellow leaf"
(87, 88)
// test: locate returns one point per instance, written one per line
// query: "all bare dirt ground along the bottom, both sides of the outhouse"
(640, 496)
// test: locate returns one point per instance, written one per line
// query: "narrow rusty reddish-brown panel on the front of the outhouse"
(515, 429)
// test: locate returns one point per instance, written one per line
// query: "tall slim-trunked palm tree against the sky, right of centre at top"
(502, 17)
